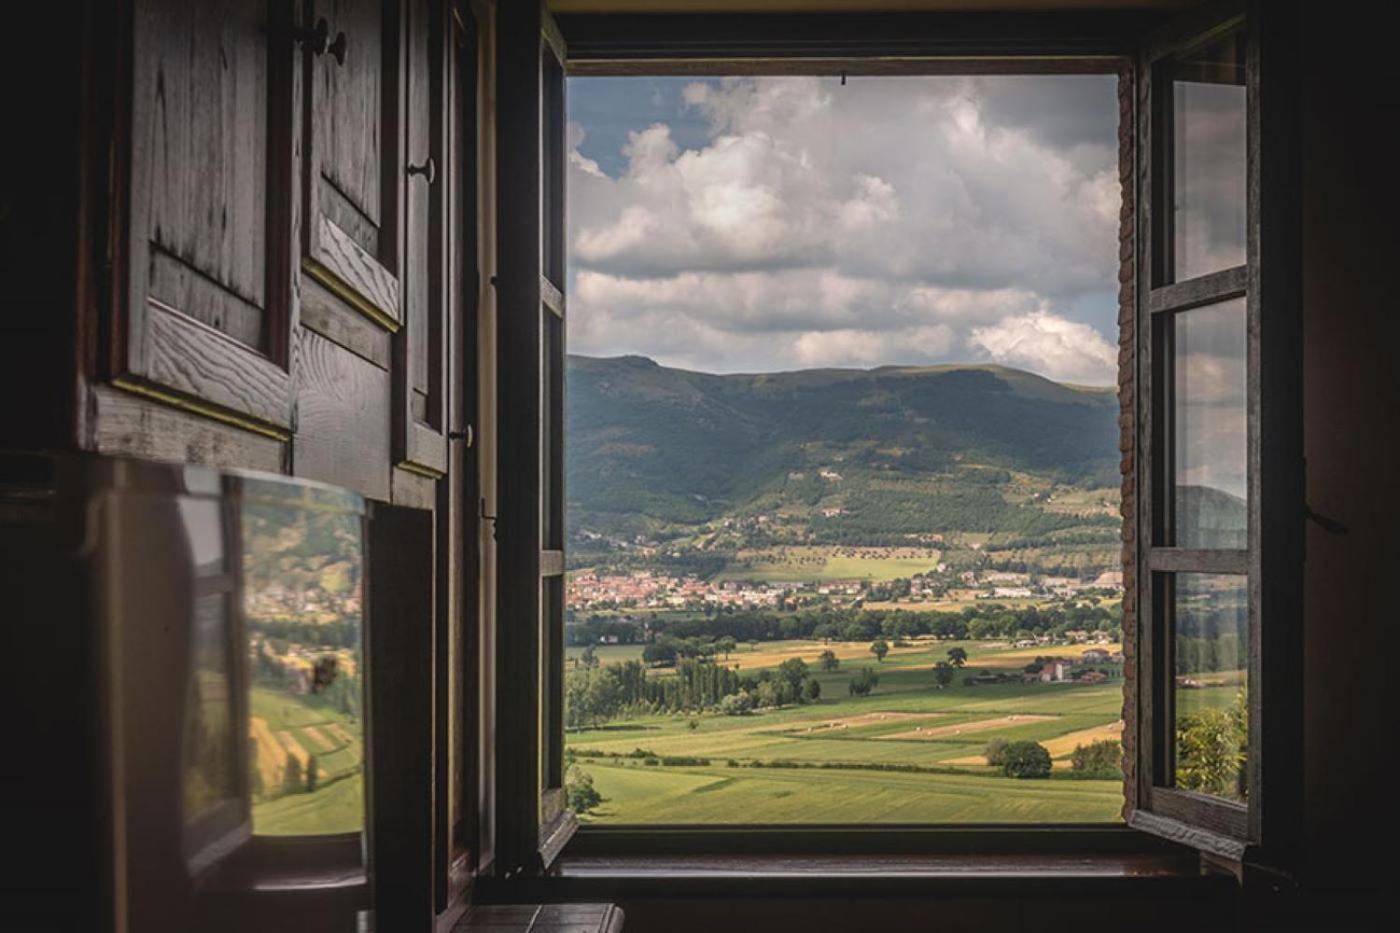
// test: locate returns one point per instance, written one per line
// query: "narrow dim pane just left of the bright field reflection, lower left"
(209, 740)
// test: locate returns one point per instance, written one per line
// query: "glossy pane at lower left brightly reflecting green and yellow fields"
(303, 590)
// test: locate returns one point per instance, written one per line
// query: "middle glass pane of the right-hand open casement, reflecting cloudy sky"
(1212, 429)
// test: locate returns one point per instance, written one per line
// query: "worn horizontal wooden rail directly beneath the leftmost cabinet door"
(132, 427)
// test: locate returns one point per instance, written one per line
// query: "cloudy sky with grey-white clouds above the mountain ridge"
(759, 225)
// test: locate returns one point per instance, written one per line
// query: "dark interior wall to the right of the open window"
(1352, 420)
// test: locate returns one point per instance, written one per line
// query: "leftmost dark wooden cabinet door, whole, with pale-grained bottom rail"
(202, 300)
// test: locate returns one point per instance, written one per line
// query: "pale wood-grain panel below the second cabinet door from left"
(342, 418)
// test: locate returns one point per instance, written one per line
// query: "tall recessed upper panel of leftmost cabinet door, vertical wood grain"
(202, 137)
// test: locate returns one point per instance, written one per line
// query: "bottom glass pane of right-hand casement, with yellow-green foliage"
(1212, 659)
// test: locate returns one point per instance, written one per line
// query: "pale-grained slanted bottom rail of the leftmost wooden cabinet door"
(192, 358)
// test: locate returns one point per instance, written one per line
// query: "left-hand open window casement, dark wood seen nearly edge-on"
(533, 827)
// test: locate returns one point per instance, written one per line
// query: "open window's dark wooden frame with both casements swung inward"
(1212, 400)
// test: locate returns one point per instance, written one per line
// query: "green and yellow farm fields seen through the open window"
(832, 750)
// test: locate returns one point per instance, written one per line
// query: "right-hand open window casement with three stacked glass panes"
(1220, 518)
